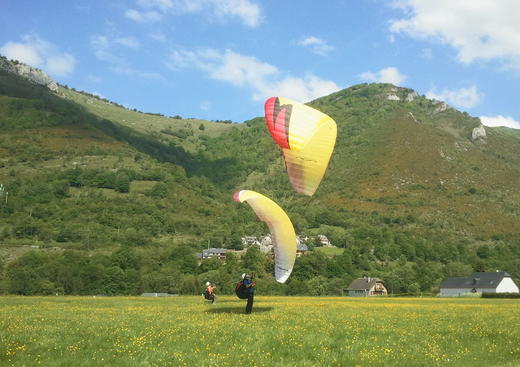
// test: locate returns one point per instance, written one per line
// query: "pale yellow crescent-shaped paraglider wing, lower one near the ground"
(282, 230)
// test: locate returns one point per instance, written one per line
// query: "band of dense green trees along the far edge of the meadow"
(178, 270)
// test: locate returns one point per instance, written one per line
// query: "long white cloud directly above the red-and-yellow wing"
(263, 79)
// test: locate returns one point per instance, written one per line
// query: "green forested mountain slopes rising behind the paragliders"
(100, 199)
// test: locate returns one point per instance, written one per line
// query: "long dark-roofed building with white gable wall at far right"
(478, 283)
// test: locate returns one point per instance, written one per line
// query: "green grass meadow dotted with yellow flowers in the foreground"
(282, 331)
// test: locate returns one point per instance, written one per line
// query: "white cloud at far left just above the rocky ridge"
(38, 53)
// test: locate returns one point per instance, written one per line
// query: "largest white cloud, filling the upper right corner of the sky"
(477, 29)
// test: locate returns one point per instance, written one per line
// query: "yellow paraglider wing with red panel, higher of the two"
(307, 138)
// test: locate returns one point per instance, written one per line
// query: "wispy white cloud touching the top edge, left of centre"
(154, 10)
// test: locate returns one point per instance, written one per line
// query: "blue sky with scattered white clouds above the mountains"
(220, 59)
